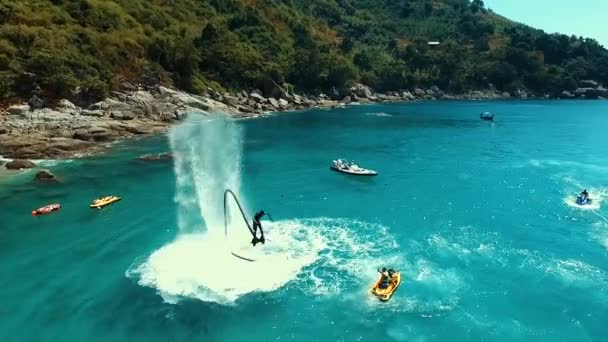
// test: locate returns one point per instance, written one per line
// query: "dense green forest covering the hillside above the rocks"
(312, 44)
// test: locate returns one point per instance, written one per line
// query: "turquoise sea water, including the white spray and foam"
(479, 217)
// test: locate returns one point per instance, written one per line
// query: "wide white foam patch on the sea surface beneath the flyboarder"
(321, 256)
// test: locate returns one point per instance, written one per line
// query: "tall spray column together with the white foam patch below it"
(199, 263)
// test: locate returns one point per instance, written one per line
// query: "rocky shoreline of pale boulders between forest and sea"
(33, 131)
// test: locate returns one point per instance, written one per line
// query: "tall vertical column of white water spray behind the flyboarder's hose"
(207, 153)
